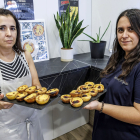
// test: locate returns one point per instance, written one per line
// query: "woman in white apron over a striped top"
(16, 69)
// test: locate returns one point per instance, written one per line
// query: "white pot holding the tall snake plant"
(66, 54)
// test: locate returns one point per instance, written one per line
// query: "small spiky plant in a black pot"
(97, 46)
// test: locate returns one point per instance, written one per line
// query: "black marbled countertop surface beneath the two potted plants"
(55, 66)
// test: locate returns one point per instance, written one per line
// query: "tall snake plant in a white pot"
(69, 29)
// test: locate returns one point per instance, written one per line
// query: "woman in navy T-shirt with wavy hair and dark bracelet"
(117, 117)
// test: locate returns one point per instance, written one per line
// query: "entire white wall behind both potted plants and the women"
(95, 13)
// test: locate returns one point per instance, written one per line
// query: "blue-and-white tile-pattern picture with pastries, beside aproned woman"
(34, 39)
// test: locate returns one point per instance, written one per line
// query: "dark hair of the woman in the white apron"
(17, 47)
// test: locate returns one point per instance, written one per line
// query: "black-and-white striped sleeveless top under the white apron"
(14, 69)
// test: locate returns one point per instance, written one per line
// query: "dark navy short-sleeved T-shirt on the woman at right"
(119, 93)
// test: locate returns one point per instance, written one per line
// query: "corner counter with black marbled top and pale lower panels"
(56, 119)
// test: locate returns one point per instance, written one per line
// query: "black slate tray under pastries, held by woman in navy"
(84, 103)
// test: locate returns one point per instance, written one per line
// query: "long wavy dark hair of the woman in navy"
(118, 53)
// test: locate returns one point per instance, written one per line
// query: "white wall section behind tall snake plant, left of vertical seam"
(45, 9)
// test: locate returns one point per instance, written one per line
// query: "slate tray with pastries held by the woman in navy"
(82, 96)
